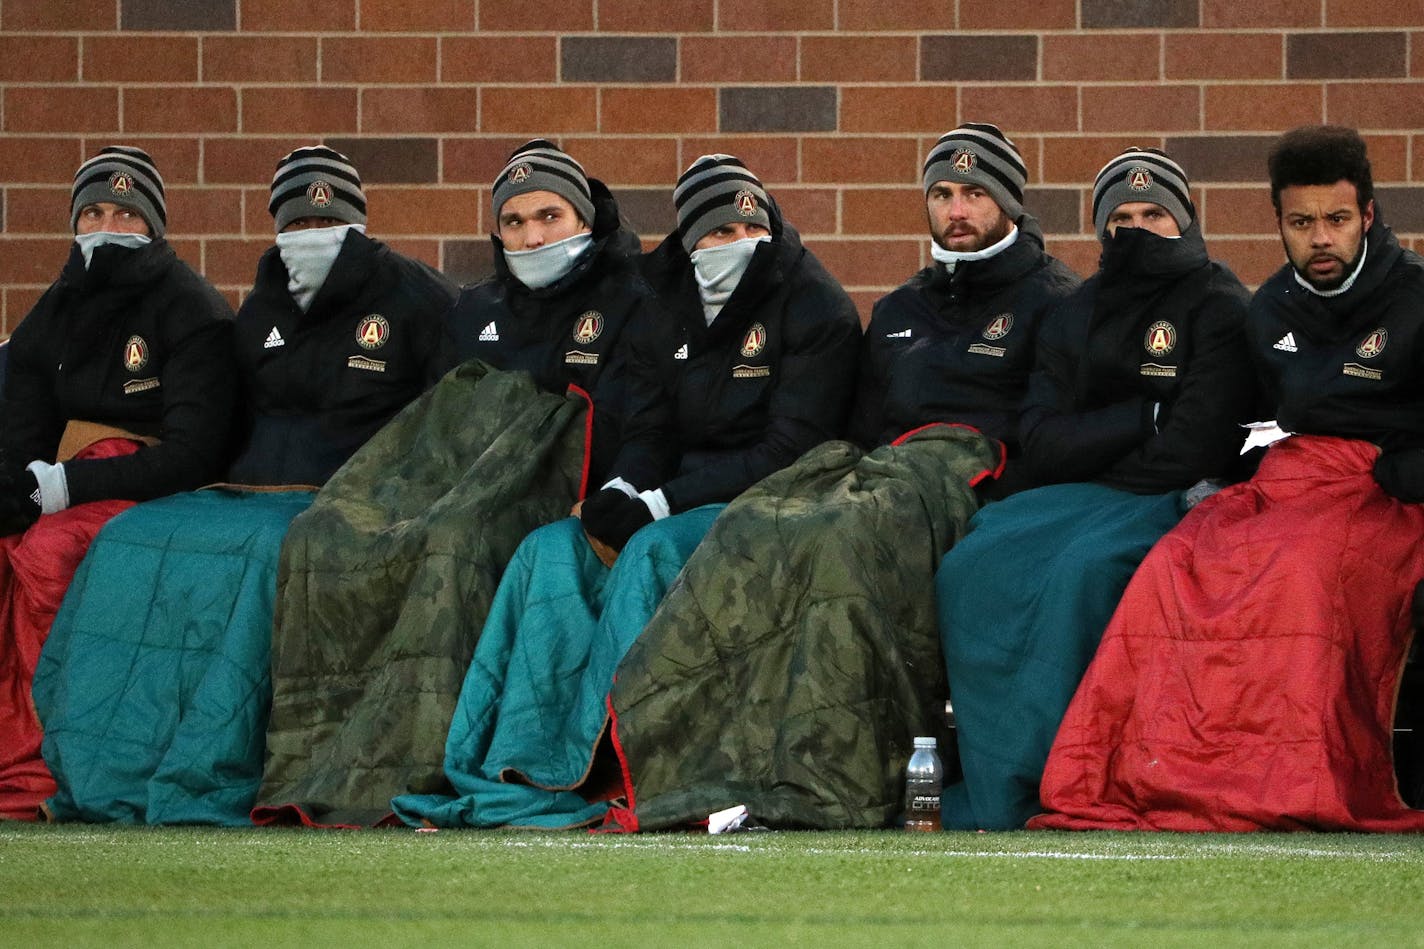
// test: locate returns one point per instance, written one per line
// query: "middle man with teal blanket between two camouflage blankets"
(744, 365)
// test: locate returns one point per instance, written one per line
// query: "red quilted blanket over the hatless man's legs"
(1248, 679)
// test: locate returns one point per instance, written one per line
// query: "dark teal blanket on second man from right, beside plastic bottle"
(1023, 602)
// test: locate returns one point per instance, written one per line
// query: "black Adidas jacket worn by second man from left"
(323, 383)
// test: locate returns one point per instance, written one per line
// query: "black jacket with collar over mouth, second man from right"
(1143, 377)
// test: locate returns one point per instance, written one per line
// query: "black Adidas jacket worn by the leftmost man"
(137, 341)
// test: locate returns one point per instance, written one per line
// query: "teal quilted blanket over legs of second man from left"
(155, 686)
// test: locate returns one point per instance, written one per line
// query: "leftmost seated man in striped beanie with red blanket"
(119, 390)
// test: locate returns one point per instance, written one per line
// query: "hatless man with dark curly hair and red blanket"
(1248, 679)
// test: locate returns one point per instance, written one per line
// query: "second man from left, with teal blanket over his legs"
(338, 336)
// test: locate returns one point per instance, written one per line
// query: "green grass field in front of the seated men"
(135, 887)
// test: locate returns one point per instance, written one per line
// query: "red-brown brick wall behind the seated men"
(831, 102)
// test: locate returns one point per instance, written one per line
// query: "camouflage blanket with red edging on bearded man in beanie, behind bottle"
(797, 656)
